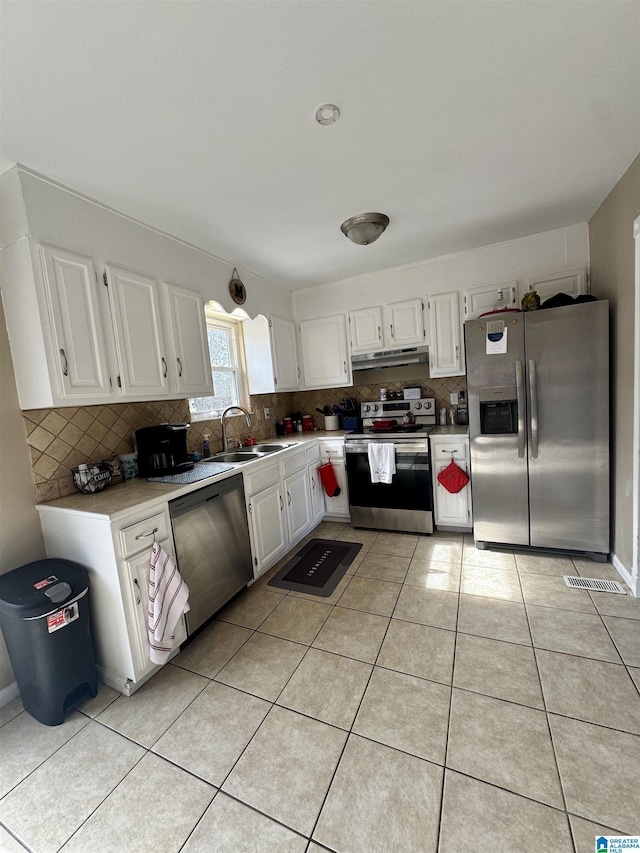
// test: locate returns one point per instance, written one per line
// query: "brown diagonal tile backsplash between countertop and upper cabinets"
(61, 439)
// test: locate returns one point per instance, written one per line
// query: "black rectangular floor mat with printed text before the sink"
(318, 568)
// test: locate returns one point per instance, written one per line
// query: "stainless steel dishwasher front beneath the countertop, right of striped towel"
(211, 536)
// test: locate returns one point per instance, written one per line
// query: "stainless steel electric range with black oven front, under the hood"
(407, 502)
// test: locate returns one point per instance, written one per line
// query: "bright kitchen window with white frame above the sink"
(227, 368)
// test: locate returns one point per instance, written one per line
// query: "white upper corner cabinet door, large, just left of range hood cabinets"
(325, 353)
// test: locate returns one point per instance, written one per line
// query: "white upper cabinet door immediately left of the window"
(192, 362)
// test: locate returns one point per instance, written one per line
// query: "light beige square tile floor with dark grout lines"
(443, 699)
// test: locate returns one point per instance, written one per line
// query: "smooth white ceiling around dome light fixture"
(467, 123)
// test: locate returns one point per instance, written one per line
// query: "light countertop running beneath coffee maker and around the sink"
(139, 494)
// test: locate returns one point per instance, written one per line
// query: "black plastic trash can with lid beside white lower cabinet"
(44, 616)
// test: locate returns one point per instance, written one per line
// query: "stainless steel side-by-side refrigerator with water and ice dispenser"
(538, 390)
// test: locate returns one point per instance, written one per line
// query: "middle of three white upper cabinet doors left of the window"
(135, 307)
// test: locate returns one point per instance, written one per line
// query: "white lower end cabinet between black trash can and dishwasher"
(116, 556)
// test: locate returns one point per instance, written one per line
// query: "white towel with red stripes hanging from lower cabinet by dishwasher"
(168, 600)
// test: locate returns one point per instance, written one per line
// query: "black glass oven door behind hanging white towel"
(411, 486)
